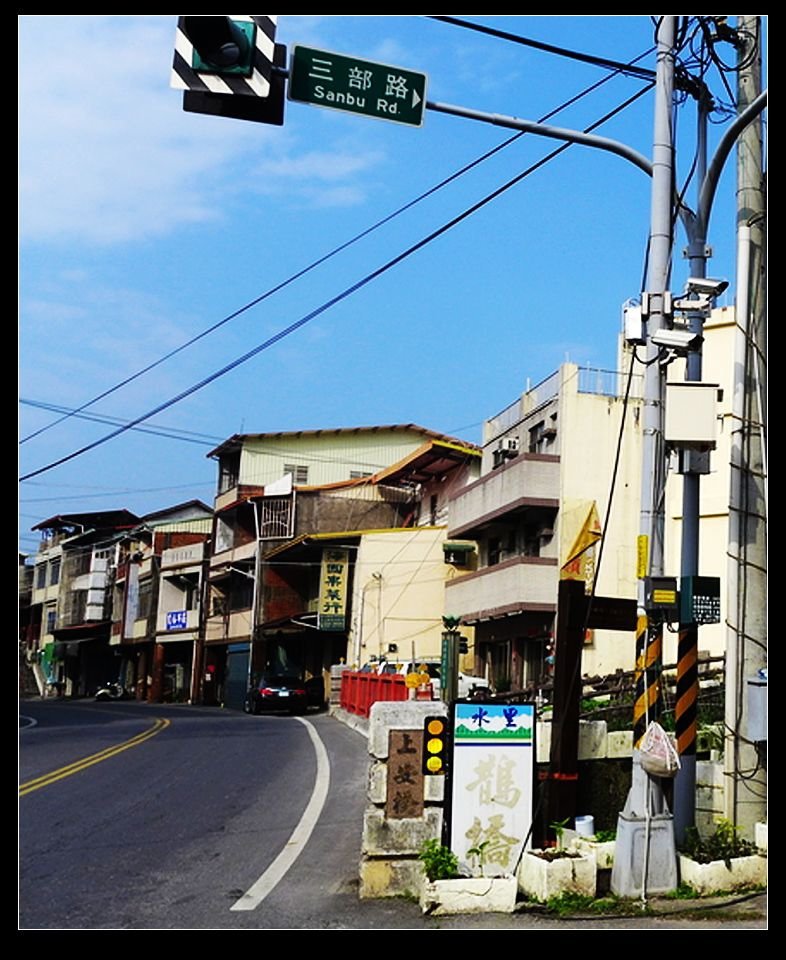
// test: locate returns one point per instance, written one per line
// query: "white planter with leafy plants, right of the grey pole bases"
(722, 862)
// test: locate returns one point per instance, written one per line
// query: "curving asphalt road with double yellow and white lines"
(149, 817)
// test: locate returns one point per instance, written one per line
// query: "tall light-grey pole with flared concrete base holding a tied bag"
(645, 855)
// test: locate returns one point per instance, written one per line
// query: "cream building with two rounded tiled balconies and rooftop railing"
(551, 466)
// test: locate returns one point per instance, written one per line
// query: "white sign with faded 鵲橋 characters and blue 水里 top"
(492, 784)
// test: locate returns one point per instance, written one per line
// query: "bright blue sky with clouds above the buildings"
(141, 226)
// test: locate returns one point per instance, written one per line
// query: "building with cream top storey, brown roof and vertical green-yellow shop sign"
(291, 514)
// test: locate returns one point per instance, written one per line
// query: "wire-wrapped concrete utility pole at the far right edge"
(746, 646)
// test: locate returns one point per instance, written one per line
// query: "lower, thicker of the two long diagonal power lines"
(347, 292)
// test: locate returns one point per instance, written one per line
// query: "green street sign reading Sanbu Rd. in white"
(357, 86)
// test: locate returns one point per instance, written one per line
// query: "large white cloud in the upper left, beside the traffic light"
(106, 153)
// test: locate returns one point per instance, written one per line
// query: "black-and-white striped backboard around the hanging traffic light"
(184, 77)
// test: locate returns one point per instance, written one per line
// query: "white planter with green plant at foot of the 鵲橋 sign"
(446, 891)
